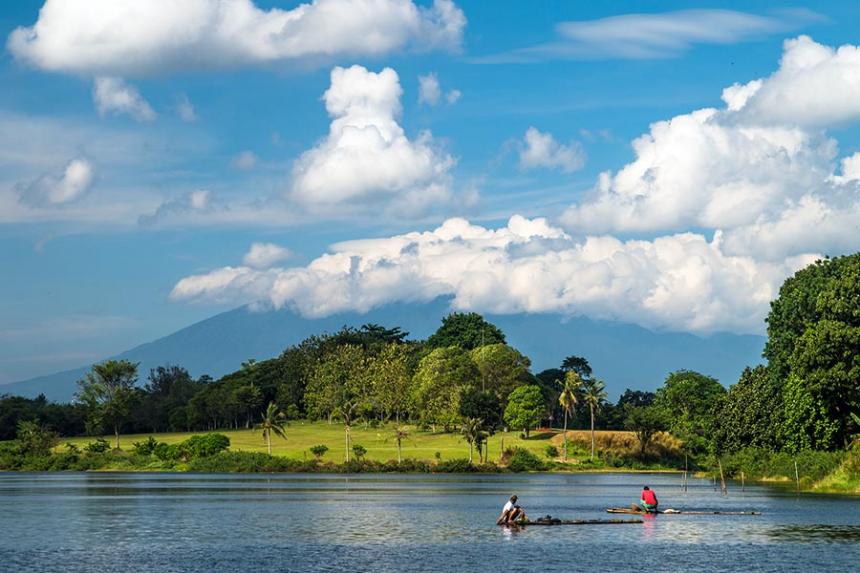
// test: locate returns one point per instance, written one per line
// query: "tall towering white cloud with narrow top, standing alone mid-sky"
(366, 156)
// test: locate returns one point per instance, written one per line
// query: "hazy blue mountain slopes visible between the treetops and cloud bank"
(623, 355)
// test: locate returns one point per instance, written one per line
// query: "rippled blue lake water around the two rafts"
(378, 522)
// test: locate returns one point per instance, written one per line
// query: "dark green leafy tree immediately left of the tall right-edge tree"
(750, 414)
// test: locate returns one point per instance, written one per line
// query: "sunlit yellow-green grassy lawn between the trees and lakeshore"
(421, 445)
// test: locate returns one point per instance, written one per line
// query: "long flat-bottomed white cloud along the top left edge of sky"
(130, 38)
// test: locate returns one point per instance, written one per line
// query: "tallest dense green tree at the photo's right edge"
(813, 352)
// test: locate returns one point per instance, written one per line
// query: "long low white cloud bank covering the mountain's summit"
(679, 281)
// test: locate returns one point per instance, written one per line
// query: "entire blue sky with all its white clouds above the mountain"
(665, 164)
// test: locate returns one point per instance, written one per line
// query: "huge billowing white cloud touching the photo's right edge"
(764, 177)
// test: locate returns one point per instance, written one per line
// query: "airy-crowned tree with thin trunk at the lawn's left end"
(109, 393)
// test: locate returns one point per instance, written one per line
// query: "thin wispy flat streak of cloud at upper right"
(660, 35)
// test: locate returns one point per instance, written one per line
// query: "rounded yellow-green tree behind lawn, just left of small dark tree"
(441, 377)
